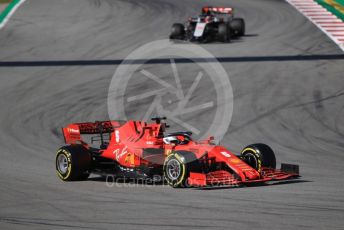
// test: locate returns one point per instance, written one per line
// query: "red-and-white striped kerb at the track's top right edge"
(328, 23)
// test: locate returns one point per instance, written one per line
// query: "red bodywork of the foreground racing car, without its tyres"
(128, 140)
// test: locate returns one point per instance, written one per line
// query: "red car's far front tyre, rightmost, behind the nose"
(258, 156)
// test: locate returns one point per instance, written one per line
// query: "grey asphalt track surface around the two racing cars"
(295, 104)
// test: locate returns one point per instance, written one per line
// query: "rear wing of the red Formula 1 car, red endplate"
(72, 133)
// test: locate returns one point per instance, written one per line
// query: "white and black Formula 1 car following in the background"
(215, 23)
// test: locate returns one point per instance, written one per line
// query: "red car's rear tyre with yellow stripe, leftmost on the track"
(73, 163)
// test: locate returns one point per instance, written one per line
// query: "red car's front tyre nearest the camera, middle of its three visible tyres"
(177, 168)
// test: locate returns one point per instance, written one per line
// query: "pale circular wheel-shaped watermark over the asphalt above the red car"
(182, 82)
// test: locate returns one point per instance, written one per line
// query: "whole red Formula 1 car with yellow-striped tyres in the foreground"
(135, 149)
